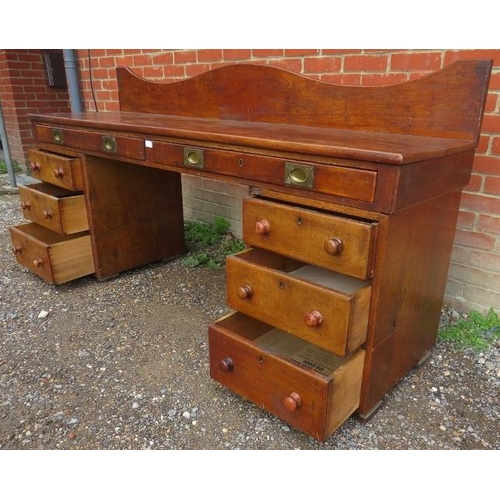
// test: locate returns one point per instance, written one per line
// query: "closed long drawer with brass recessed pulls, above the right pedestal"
(352, 183)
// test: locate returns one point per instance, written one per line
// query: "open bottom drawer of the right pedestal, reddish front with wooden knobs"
(272, 371)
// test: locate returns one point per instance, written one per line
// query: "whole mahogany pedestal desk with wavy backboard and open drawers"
(350, 224)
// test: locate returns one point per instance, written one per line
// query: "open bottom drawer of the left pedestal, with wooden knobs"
(55, 258)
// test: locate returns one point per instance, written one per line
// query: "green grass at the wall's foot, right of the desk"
(475, 332)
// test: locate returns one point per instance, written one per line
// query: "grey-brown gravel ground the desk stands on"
(123, 364)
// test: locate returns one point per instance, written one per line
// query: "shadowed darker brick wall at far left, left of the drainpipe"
(24, 90)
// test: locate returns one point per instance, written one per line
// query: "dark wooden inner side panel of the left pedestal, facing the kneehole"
(135, 214)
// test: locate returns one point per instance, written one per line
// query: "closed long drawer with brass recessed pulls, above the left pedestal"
(114, 145)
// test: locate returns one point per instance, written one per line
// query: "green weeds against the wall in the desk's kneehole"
(209, 244)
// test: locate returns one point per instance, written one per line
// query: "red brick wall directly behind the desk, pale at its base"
(474, 277)
